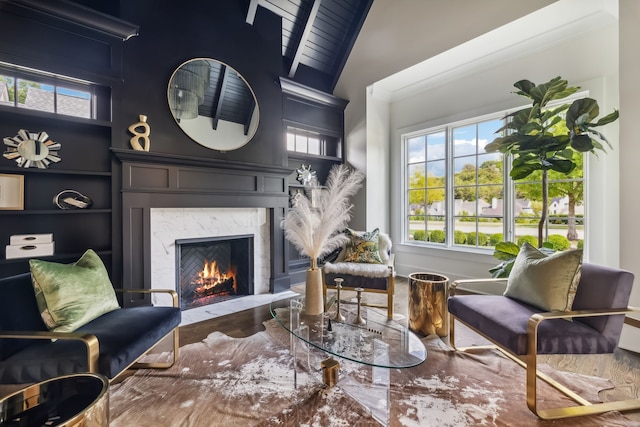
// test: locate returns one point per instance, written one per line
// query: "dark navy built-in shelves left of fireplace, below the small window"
(85, 166)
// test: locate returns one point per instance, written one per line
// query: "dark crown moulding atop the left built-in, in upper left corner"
(81, 15)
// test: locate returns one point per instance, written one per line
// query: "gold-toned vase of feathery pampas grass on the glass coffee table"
(315, 228)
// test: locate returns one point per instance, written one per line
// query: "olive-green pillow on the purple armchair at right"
(546, 282)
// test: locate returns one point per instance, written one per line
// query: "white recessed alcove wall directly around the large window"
(486, 91)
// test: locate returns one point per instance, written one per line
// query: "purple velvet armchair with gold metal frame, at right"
(522, 331)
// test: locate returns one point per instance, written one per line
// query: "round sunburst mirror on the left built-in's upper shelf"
(31, 149)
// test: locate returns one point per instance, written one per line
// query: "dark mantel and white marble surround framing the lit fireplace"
(158, 190)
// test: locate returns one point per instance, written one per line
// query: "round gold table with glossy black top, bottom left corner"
(78, 400)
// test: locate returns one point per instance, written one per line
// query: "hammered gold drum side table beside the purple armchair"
(428, 293)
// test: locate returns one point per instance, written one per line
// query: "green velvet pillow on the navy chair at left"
(71, 295)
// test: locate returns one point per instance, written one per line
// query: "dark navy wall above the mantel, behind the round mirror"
(172, 32)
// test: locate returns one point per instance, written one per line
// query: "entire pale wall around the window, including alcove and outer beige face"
(401, 33)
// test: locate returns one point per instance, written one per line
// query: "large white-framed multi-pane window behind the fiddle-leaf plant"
(459, 196)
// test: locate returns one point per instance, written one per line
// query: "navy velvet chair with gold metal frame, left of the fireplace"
(107, 345)
